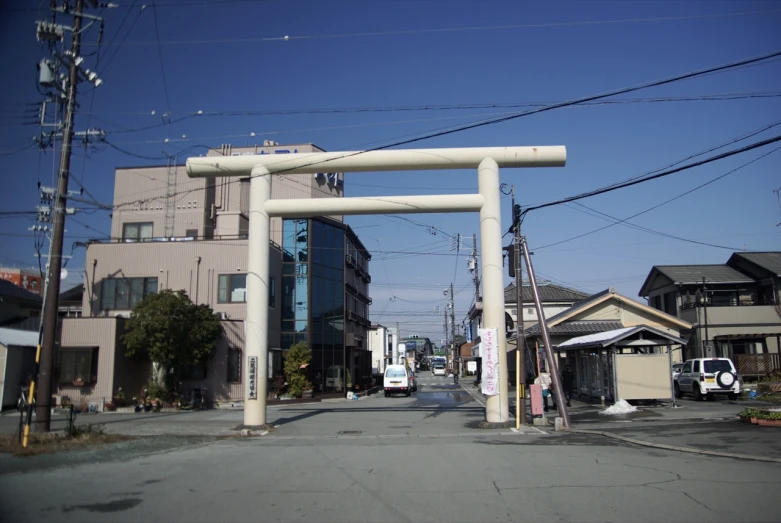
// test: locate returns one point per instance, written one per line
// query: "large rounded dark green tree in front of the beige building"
(172, 332)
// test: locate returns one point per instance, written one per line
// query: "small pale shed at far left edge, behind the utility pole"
(17, 363)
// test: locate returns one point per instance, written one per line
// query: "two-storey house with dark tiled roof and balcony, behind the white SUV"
(734, 307)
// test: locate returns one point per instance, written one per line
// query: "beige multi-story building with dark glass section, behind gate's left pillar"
(170, 231)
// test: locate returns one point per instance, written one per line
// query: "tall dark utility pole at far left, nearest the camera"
(49, 320)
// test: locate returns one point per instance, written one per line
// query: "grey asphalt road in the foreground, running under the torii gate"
(385, 459)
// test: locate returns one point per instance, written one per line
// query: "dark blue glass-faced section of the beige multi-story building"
(325, 301)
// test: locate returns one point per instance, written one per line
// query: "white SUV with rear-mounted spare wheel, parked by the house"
(704, 377)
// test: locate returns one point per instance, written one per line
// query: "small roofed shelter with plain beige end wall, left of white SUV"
(632, 363)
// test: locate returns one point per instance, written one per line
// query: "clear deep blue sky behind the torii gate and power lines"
(230, 57)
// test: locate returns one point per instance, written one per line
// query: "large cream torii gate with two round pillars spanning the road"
(261, 169)
